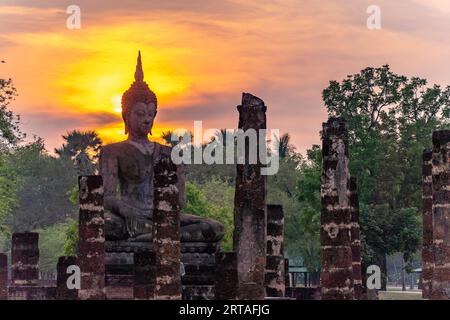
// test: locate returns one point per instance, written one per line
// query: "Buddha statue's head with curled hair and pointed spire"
(139, 105)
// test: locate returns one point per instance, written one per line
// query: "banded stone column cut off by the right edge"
(441, 215)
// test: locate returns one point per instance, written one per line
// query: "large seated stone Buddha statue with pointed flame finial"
(127, 171)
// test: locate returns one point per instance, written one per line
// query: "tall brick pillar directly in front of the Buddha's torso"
(166, 236)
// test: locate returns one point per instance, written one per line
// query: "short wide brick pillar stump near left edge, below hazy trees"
(25, 259)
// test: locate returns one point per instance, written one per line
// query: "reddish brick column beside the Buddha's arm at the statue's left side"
(91, 238)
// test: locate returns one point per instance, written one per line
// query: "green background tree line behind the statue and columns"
(390, 118)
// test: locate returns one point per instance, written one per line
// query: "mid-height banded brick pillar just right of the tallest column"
(274, 277)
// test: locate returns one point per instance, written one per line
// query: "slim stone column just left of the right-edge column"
(427, 231)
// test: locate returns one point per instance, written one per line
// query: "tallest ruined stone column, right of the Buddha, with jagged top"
(250, 217)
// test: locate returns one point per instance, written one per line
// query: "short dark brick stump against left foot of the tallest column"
(226, 280)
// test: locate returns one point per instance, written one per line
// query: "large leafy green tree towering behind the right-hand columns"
(391, 119)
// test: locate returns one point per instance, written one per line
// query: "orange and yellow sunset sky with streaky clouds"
(199, 56)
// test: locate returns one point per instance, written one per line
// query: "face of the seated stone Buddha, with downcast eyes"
(140, 120)
